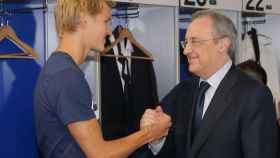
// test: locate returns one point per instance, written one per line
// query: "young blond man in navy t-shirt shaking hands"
(66, 125)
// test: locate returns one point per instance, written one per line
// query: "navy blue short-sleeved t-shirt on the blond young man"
(62, 96)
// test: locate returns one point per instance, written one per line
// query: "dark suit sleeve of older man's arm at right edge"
(259, 129)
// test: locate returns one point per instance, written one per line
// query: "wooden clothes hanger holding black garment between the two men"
(125, 33)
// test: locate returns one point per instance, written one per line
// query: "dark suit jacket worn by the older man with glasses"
(240, 121)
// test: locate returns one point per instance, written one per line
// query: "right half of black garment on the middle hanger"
(143, 87)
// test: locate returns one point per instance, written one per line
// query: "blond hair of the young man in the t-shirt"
(67, 13)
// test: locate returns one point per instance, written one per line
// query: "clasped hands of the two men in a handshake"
(156, 122)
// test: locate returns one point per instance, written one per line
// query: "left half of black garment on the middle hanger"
(112, 100)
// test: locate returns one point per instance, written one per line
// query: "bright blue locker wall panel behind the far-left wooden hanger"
(17, 81)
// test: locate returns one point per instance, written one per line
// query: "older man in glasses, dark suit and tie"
(222, 112)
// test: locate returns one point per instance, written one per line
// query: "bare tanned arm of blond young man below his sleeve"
(89, 136)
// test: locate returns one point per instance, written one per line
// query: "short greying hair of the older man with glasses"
(222, 25)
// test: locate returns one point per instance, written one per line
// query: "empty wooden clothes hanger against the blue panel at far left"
(7, 31)
